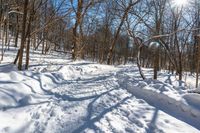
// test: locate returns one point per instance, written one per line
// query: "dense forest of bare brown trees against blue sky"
(161, 34)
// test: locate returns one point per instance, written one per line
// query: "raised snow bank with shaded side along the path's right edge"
(164, 99)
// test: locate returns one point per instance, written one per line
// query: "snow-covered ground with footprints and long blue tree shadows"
(57, 95)
